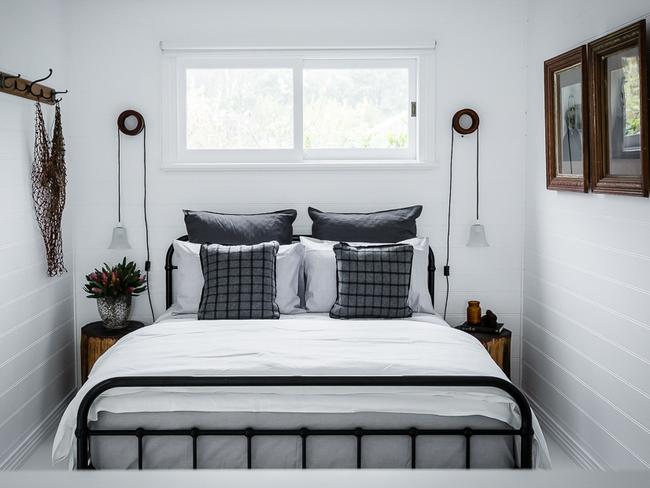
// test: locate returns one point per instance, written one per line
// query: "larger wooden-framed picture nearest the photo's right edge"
(619, 107)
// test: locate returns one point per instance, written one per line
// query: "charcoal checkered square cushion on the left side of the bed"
(239, 282)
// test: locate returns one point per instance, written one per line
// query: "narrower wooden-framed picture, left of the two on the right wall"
(567, 121)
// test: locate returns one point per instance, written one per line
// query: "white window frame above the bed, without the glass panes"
(177, 59)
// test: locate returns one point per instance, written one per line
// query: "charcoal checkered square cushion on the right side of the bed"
(372, 281)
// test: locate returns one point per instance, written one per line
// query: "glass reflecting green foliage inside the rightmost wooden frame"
(624, 112)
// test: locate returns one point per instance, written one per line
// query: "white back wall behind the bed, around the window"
(115, 64)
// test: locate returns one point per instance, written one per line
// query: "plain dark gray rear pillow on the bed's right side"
(384, 226)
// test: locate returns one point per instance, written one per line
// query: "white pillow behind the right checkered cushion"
(320, 274)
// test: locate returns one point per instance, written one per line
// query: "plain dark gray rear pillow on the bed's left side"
(236, 229)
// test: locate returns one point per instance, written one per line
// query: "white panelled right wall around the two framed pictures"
(586, 318)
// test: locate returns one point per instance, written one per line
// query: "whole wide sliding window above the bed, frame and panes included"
(279, 106)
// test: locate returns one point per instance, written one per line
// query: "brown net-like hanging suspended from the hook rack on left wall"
(48, 188)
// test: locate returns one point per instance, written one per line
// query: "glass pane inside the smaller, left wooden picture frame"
(569, 127)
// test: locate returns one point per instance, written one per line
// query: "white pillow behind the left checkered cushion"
(188, 279)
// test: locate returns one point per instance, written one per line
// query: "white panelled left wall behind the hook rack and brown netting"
(36, 312)
